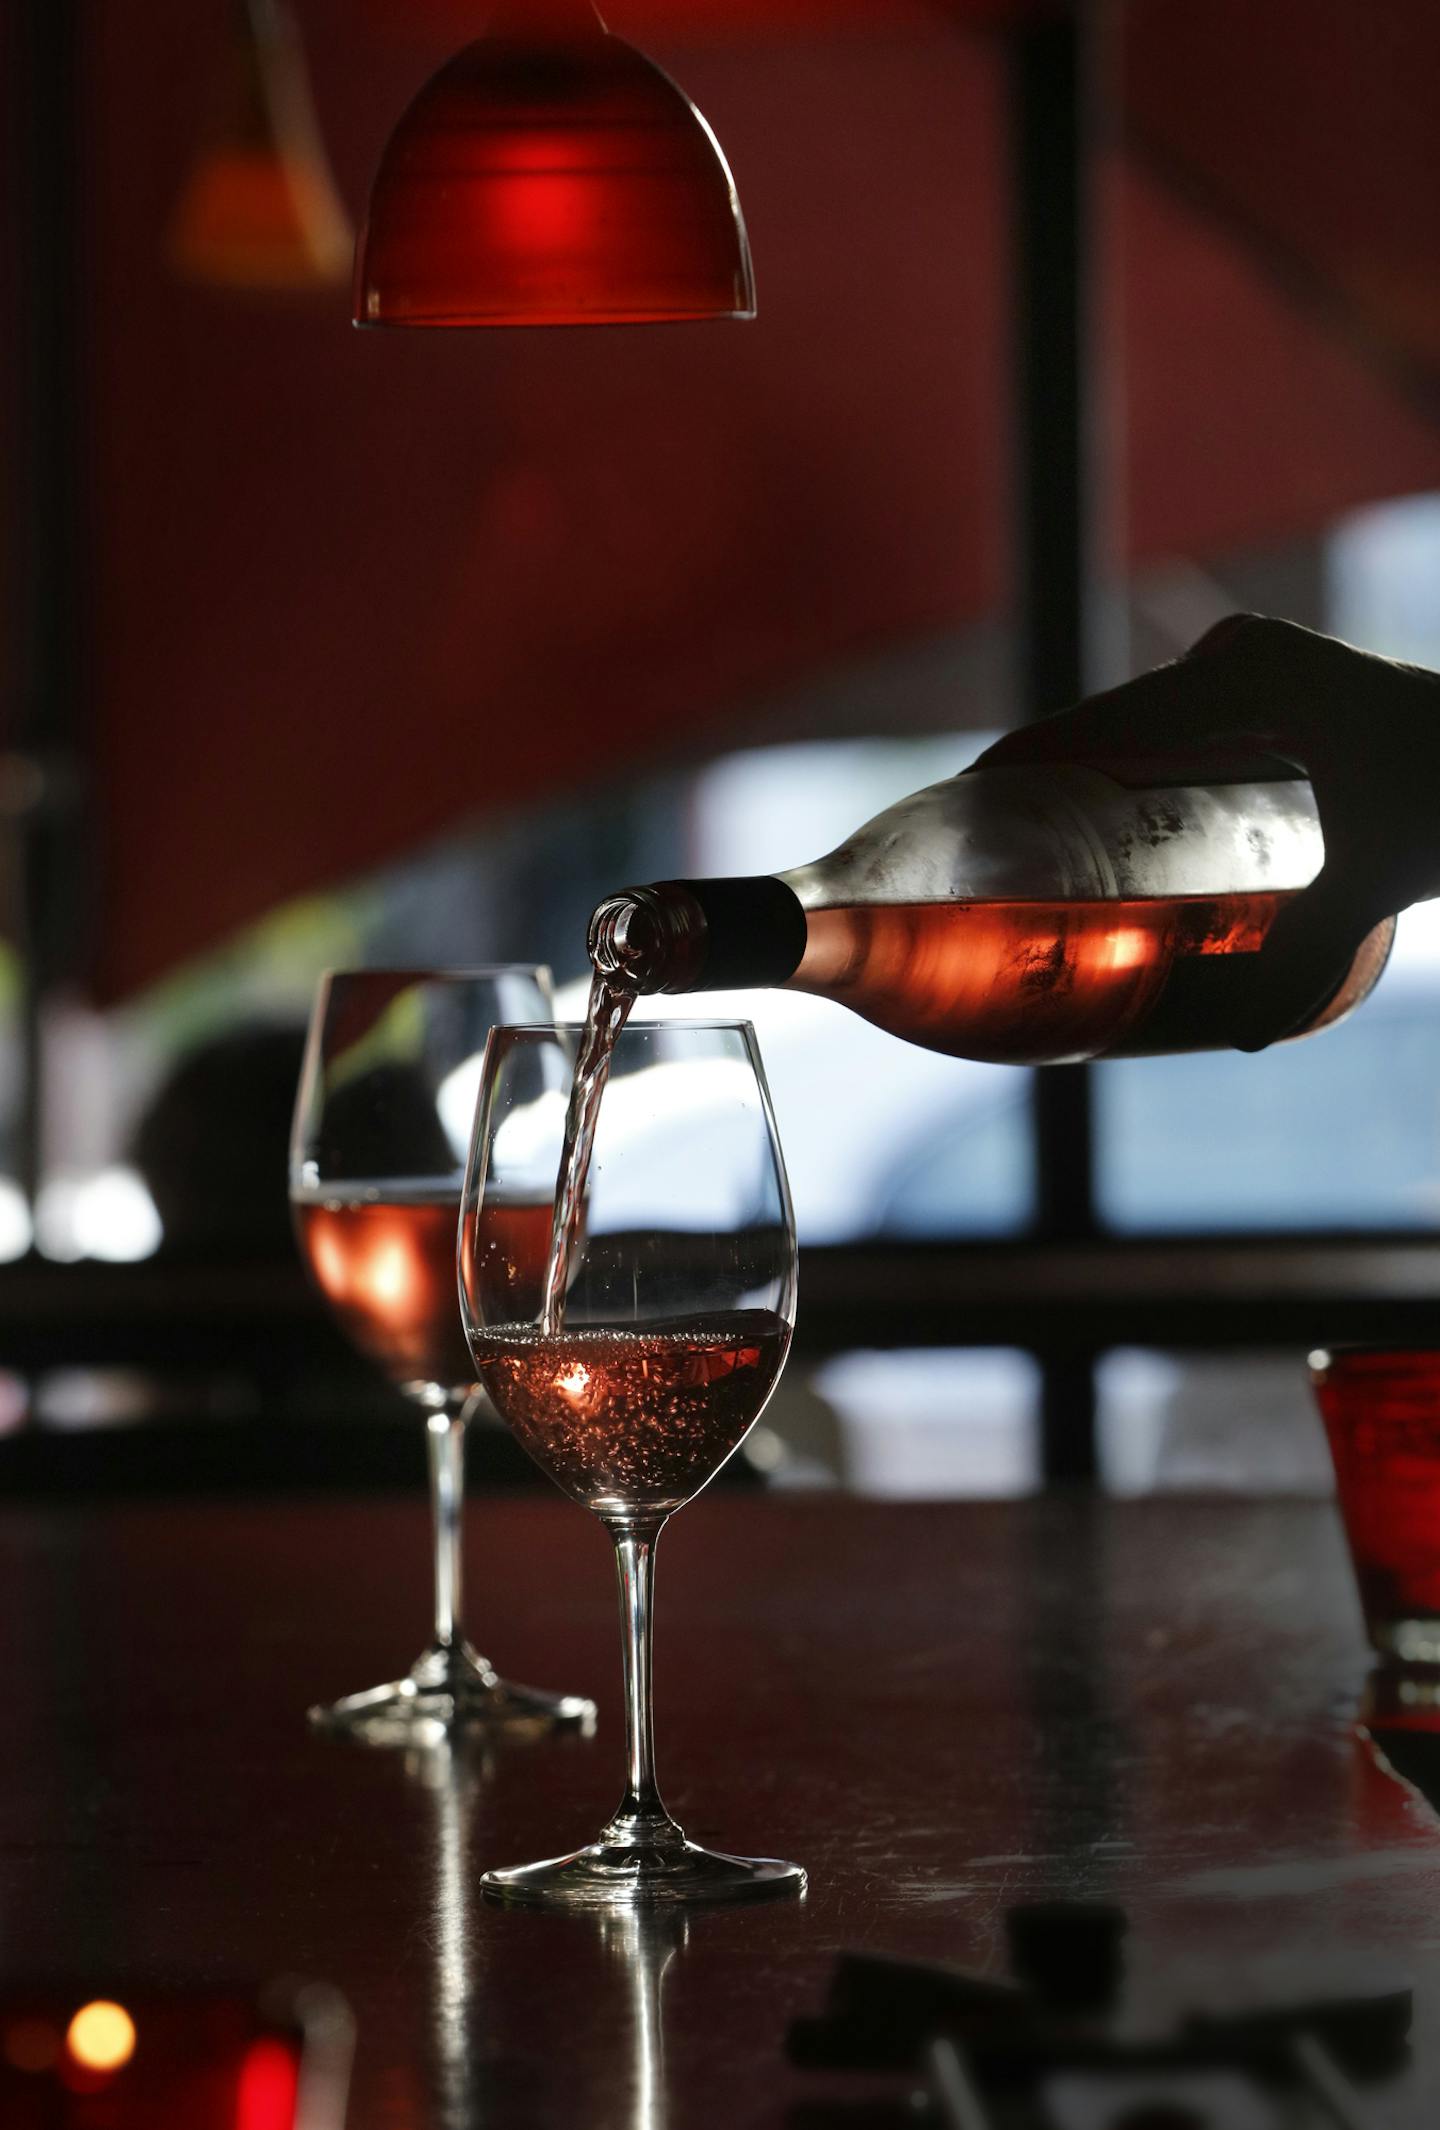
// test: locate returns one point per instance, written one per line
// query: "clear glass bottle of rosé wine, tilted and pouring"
(1015, 915)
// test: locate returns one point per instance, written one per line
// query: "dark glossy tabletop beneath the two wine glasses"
(938, 1709)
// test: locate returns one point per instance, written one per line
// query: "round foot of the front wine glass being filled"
(640, 1878)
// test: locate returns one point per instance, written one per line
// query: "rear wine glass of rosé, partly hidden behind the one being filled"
(376, 1170)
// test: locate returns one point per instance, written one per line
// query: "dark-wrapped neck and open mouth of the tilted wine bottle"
(700, 936)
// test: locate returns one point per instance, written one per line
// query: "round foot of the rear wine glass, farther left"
(451, 1690)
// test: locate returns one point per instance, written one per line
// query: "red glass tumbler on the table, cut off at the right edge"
(1381, 1411)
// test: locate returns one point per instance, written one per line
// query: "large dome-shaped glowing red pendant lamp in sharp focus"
(553, 176)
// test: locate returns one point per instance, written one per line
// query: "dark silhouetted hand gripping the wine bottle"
(1362, 730)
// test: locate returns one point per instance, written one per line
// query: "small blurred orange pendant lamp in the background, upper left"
(261, 208)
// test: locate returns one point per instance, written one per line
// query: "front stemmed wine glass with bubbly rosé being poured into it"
(651, 1366)
